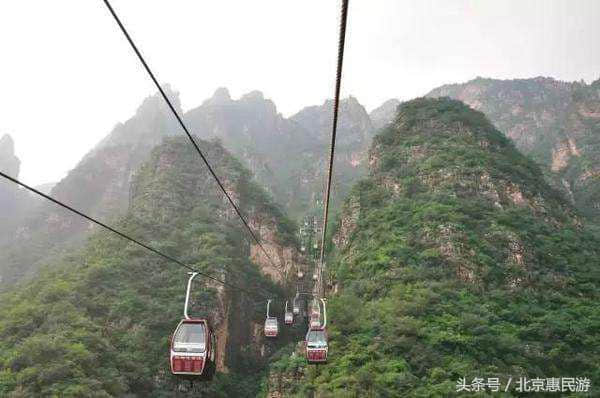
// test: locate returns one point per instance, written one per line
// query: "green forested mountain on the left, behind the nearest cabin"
(97, 324)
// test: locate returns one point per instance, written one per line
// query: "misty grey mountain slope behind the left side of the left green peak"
(98, 185)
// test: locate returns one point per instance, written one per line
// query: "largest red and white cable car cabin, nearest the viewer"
(193, 349)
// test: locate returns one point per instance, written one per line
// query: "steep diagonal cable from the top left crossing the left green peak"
(185, 129)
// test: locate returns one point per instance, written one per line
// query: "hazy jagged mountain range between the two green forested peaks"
(287, 155)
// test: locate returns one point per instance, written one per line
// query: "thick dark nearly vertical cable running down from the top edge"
(336, 103)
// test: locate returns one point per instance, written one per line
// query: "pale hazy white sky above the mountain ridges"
(67, 76)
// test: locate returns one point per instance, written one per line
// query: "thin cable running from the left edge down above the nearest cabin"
(123, 235)
